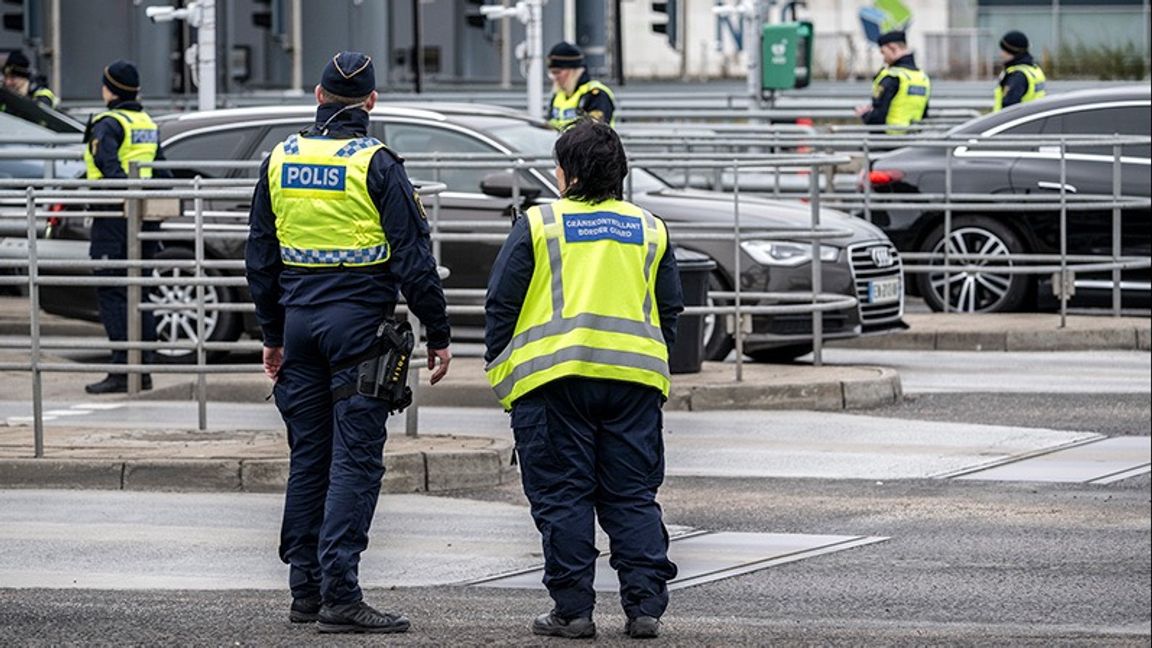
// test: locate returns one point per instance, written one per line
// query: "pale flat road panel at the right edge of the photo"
(1097, 463)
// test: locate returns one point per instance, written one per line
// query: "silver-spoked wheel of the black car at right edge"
(979, 291)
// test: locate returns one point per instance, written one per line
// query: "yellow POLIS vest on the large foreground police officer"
(325, 217)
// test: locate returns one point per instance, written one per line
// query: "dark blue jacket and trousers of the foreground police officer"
(322, 319)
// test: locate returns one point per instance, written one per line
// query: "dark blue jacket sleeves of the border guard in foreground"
(513, 273)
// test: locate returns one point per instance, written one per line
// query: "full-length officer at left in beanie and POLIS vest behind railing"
(113, 140)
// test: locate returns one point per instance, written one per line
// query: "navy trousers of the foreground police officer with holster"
(337, 450)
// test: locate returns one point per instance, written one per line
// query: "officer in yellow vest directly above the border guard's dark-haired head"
(574, 94)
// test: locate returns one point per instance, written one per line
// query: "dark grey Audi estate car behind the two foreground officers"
(862, 265)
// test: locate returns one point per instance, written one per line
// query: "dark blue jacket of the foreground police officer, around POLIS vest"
(412, 269)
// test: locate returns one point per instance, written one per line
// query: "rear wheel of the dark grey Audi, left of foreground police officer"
(177, 322)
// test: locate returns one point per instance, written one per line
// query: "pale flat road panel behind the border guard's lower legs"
(706, 557)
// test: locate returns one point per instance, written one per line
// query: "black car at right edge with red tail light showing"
(1024, 171)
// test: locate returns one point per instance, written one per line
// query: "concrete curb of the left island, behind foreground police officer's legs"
(405, 472)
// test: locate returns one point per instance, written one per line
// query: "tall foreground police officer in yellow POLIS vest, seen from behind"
(336, 231)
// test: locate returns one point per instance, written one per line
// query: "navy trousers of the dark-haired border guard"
(595, 449)
